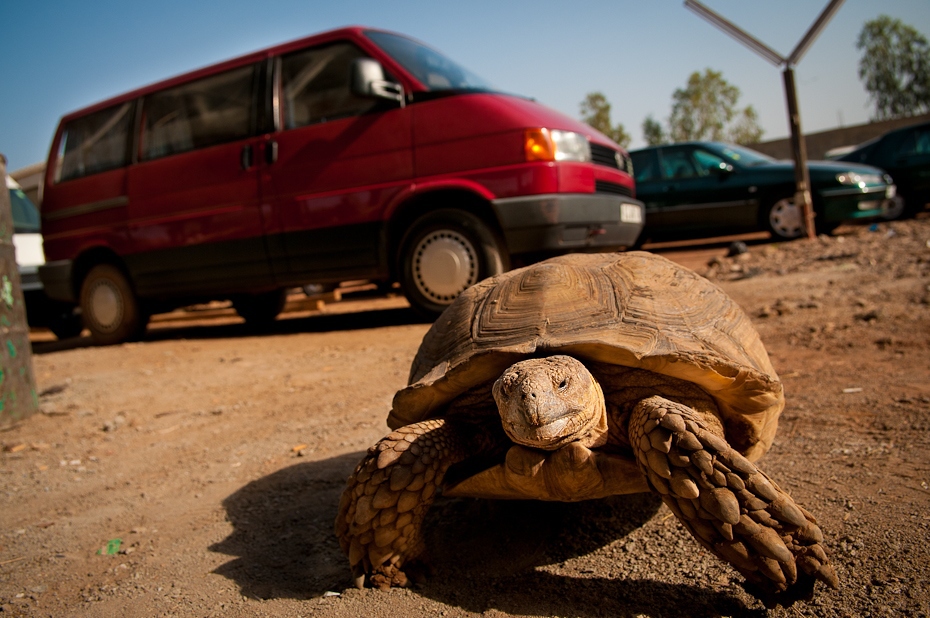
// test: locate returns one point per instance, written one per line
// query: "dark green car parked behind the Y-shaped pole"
(699, 189)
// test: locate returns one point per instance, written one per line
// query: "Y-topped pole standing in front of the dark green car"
(802, 195)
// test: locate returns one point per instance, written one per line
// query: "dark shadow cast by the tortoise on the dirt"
(482, 553)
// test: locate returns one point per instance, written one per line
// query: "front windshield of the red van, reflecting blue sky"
(431, 68)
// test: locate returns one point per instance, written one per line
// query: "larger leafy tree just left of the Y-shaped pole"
(706, 110)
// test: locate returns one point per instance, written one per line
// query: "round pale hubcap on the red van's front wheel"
(444, 265)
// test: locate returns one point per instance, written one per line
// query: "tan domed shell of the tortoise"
(634, 309)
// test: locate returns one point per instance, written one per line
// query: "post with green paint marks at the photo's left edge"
(17, 382)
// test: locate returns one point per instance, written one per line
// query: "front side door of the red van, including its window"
(340, 160)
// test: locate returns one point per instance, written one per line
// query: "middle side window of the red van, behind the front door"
(207, 112)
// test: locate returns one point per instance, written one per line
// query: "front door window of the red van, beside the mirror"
(315, 85)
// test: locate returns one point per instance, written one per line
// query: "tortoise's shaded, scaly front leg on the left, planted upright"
(382, 508)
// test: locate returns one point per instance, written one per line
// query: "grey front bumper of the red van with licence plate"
(568, 222)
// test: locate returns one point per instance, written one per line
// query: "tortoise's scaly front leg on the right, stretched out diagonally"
(730, 506)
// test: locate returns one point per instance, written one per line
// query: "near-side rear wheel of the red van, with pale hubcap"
(110, 308)
